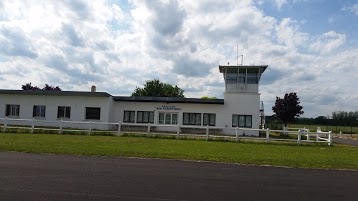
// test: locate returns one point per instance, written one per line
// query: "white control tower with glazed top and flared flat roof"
(241, 96)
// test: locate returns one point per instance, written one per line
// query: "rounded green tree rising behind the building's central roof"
(156, 88)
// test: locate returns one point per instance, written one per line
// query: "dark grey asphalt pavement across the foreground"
(55, 177)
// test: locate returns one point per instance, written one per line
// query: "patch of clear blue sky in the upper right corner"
(318, 16)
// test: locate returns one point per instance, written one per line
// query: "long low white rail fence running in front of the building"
(207, 132)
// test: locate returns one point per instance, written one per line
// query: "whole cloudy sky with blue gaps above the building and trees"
(310, 46)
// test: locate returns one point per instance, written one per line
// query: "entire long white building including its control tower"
(239, 108)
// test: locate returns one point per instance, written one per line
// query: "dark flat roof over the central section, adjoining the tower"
(167, 99)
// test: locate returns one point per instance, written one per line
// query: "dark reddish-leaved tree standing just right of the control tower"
(287, 108)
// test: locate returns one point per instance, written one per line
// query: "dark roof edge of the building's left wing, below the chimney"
(55, 93)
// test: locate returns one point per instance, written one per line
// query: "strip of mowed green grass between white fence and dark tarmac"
(291, 155)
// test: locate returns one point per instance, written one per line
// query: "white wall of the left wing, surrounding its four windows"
(52, 102)
